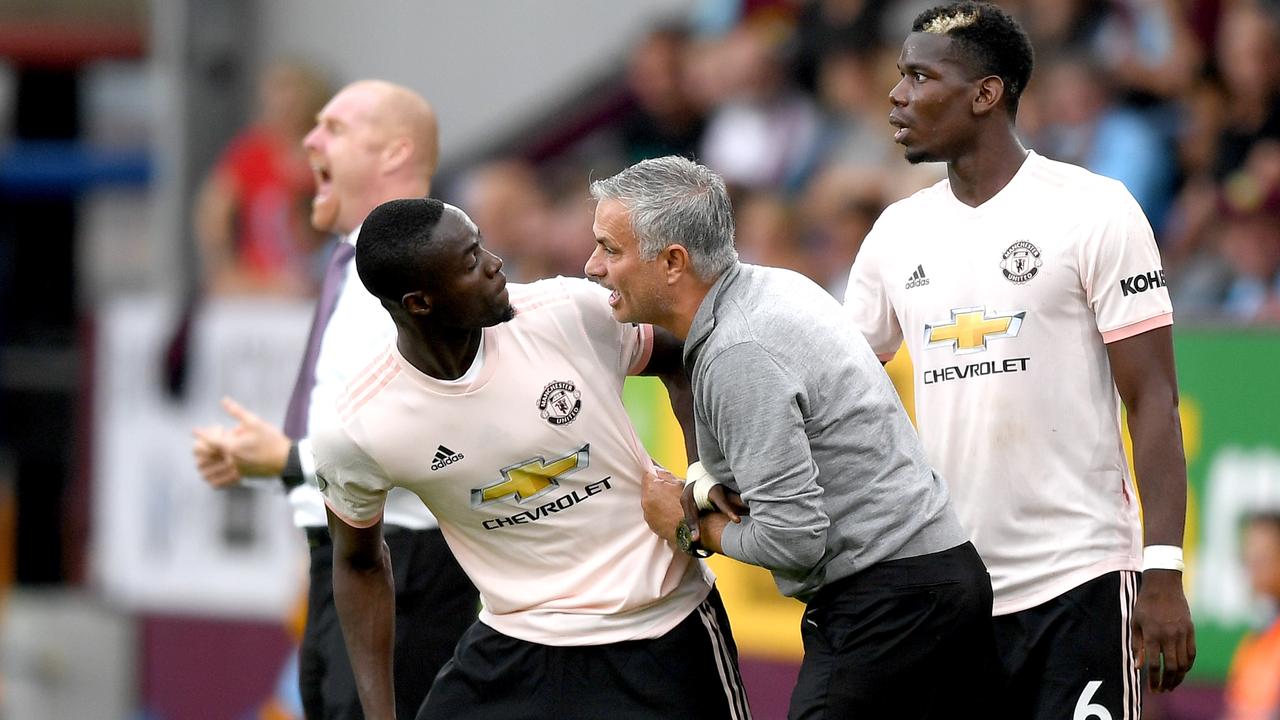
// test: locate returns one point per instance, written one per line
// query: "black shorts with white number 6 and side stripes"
(1071, 657)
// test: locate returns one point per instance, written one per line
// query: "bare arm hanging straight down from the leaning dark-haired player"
(364, 594)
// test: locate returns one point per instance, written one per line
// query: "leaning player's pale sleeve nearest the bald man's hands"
(354, 486)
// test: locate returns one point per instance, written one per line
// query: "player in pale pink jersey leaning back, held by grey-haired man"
(501, 409)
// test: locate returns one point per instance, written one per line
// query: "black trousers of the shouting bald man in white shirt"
(436, 603)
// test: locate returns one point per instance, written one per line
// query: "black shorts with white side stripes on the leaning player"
(691, 673)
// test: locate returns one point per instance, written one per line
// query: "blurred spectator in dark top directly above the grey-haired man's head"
(665, 121)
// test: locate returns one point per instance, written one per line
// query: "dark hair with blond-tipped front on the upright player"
(993, 40)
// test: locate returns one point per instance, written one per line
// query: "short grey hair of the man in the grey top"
(676, 202)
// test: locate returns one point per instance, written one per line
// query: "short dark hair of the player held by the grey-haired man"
(392, 244)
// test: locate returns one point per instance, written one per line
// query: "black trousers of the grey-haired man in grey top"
(907, 639)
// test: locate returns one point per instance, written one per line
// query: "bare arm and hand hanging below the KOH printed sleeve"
(1144, 371)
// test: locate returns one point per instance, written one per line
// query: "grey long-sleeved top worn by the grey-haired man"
(794, 411)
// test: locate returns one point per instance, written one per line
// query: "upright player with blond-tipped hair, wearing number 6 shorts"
(1045, 308)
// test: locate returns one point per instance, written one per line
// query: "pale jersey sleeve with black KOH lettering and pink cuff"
(1122, 275)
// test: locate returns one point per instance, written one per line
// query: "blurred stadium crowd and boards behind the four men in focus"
(154, 257)
